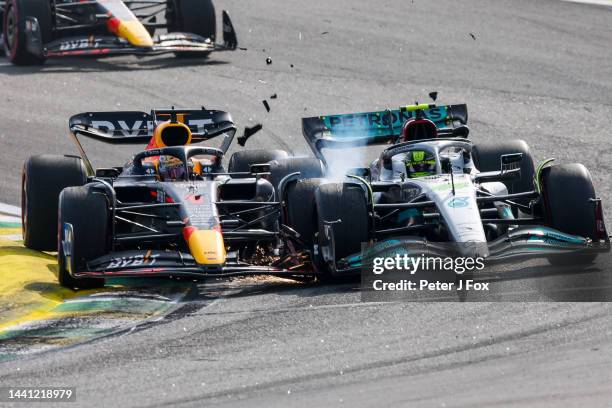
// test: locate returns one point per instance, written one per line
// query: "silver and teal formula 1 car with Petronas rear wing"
(433, 185)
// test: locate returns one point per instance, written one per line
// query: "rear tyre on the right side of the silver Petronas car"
(487, 157)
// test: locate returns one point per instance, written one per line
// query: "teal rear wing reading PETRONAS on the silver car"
(381, 127)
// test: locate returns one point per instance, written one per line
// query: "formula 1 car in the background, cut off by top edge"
(34, 30)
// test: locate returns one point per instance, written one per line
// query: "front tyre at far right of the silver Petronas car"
(568, 190)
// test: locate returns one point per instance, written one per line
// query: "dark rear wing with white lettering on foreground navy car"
(134, 127)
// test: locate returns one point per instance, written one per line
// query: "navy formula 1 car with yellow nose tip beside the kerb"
(171, 210)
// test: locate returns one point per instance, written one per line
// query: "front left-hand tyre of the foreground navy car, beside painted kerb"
(86, 210)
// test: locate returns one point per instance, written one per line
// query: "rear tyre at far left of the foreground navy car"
(43, 178)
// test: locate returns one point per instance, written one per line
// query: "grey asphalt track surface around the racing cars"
(540, 71)
